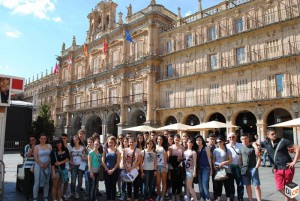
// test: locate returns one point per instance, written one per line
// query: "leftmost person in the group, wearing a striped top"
(29, 162)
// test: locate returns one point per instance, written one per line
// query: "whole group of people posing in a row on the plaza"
(168, 165)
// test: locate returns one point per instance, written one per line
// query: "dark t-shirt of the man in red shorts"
(283, 157)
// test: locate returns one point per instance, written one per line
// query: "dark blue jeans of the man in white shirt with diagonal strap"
(236, 175)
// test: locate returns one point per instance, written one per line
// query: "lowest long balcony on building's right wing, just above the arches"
(290, 90)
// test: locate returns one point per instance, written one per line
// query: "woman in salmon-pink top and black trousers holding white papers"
(131, 160)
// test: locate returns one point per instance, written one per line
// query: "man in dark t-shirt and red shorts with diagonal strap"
(284, 165)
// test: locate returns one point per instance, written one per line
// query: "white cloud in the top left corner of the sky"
(40, 9)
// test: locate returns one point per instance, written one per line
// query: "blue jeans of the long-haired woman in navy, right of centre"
(203, 179)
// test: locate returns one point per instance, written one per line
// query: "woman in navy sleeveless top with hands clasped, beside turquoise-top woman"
(111, 162)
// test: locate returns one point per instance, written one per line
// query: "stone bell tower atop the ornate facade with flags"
(102, 19)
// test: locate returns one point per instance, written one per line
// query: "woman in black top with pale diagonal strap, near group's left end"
(59, 157)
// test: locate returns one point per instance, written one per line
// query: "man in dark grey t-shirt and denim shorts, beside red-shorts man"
(249, 160)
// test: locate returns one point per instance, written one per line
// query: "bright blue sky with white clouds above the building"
(32, 31)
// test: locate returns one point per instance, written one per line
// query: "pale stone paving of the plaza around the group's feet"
(11, 159)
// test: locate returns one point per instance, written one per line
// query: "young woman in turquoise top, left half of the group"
(94, 162)
